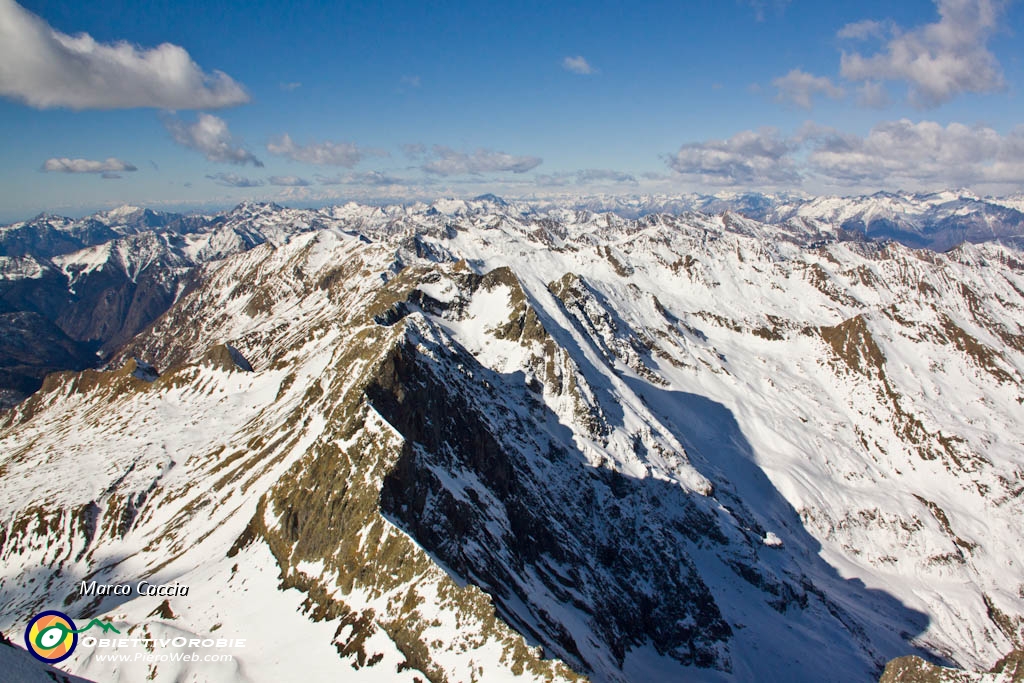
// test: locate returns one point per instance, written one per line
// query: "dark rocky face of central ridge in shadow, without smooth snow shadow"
(610, 549)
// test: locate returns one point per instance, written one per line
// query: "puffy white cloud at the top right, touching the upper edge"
(937, 61)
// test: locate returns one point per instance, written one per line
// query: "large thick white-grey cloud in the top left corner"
(45, 68)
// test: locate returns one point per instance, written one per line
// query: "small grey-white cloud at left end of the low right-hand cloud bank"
(750, 158)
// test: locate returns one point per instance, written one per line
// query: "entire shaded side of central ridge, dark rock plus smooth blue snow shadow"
(619, 554)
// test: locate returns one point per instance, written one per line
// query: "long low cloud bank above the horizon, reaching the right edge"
(894, 154)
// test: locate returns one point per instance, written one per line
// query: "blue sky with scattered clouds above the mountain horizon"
(205, 104)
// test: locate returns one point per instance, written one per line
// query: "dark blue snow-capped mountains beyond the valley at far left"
(101, 280)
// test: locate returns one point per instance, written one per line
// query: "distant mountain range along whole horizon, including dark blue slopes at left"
(88, 286)
